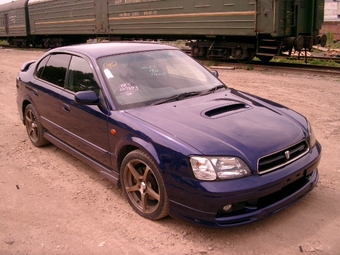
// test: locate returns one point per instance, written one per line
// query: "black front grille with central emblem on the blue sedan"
(281, 158)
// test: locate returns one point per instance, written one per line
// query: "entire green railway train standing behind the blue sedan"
(221, 29)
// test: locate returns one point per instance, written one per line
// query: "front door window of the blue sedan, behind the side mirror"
(80, 76)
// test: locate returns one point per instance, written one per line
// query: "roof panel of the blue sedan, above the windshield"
(96, 50)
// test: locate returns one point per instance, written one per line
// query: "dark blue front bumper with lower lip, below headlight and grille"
(272, 192)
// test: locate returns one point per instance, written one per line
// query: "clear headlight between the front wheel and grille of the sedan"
(222, 168)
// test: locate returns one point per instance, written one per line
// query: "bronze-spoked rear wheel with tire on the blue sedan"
(35, 130)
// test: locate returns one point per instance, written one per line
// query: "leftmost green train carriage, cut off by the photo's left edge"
(13, 20)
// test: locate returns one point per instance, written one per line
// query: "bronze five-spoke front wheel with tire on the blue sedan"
(143, 186)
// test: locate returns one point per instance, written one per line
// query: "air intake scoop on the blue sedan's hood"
(229, 108)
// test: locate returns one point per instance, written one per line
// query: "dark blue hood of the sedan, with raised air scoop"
(225, 124)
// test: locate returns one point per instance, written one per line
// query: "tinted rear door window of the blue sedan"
(54, 71)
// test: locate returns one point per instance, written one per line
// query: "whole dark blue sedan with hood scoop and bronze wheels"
(168, 132)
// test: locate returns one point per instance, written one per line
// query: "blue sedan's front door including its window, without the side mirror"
(84, 127)
